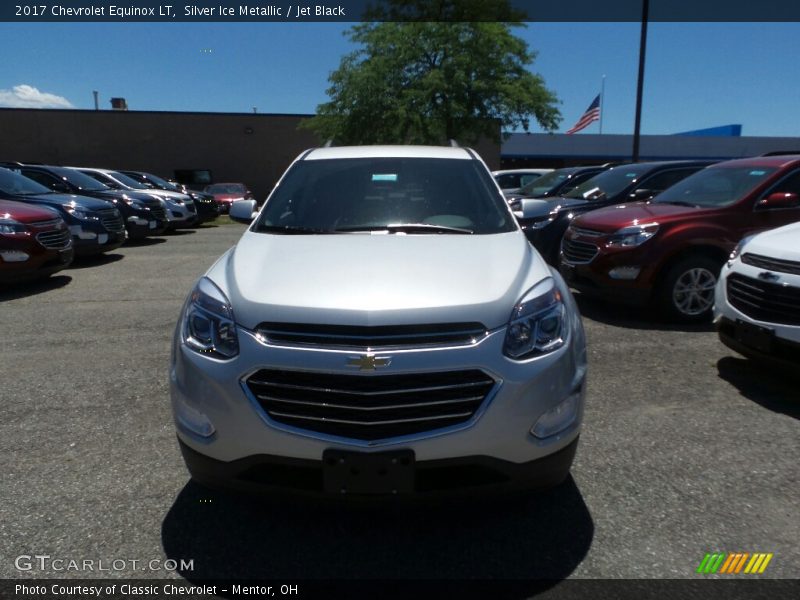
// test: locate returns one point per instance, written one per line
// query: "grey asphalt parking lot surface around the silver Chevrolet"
(687, 449)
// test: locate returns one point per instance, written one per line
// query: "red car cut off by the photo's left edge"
(34, 242)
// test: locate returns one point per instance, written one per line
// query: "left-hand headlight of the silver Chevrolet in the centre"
(208, 323)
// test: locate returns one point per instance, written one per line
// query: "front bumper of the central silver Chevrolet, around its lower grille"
(245, 436)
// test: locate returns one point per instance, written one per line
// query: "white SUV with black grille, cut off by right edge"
(757, 303)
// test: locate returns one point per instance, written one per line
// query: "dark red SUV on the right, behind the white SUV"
(670, 249)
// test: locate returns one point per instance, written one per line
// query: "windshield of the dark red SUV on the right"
(715, 186)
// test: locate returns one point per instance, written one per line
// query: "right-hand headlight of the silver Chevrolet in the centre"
(538, 322)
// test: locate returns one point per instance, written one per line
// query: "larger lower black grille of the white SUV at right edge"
(764, 301)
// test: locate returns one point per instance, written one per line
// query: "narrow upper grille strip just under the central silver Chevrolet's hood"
(372, 337)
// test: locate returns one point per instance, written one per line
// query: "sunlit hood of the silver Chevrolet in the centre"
(370, 280)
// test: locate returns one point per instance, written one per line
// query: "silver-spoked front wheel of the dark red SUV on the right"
(687, 290)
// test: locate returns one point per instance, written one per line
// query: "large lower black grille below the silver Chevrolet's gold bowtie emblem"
(370, 407)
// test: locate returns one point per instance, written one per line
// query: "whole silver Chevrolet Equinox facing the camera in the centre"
(382, 327)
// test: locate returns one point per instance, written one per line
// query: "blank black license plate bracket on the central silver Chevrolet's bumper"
(388, 473)
